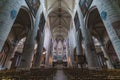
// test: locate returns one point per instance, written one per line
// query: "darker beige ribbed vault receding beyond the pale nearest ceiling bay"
(59, 22)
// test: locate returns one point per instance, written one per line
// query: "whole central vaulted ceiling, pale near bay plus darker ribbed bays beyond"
(59, 12)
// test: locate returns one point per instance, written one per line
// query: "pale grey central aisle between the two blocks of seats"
(60, 75)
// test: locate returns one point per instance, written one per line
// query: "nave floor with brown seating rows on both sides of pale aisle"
(60, 73)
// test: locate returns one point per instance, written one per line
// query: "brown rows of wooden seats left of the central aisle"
(32, 74)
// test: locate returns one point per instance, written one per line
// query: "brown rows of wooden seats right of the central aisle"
(87, 74)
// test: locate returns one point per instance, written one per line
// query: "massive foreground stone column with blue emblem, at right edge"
(110, 15)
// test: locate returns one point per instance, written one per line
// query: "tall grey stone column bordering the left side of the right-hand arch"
(89, 49)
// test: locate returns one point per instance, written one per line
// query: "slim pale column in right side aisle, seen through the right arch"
(109, 64)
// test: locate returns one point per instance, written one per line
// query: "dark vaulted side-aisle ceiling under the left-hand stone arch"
(23, 23)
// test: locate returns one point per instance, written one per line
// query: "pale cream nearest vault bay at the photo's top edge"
(52, 5)
